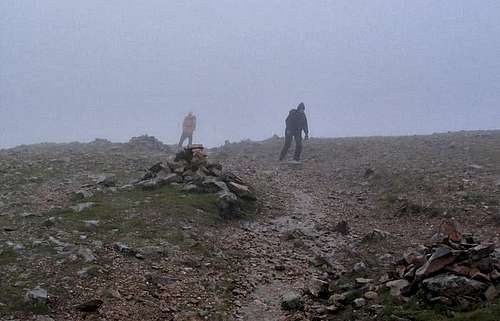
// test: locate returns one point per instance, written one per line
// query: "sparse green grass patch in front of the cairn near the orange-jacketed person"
(140, 216)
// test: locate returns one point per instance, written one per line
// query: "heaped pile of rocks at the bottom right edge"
(455, 270)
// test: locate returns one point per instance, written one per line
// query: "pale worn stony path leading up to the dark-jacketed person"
(287, 245)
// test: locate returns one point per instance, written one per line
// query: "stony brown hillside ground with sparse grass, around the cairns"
(349, 211)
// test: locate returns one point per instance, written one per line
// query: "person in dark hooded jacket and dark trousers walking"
(296, 122)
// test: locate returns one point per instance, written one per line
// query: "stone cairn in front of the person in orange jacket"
(197, 174)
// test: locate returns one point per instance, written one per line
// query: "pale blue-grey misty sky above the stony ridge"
(77, 70)
